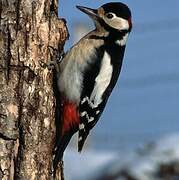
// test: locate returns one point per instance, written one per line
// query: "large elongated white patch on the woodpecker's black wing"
(102, 80)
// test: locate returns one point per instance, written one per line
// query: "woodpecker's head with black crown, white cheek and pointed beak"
(111, 16)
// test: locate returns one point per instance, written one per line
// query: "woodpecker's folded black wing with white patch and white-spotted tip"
(89, 112)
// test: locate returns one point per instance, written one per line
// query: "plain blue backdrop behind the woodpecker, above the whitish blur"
(145, 102)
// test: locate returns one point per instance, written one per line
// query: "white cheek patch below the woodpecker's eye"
(117, 23)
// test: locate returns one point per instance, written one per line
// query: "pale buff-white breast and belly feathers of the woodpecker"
(70, 80)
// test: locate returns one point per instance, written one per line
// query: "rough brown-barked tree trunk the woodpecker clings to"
(27, 102)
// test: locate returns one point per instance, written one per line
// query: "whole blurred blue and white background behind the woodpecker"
(144, 106)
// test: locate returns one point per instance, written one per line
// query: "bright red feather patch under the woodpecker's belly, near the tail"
(70, 117)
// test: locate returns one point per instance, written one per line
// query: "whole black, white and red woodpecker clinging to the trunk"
(89, 72)
